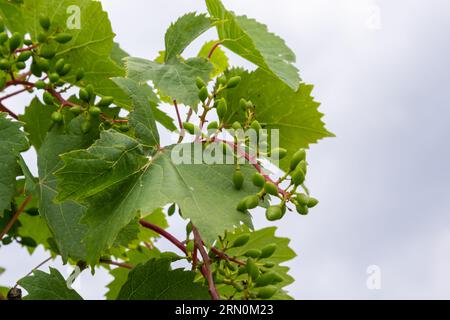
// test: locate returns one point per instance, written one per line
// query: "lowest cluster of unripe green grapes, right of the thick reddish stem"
(251, 273)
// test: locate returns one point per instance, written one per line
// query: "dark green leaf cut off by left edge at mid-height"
(12, 142)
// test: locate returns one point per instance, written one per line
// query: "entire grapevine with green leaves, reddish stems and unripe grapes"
(106, 182)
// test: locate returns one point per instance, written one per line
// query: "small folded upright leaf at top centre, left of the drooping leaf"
(185, 30)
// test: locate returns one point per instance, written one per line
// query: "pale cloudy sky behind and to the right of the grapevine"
(383, 182)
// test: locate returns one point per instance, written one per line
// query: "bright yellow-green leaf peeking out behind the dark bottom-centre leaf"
(133, 257)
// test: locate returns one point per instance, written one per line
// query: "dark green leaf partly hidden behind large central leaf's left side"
(62, 218)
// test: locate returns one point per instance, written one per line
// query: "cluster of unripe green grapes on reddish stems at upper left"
(41, 54)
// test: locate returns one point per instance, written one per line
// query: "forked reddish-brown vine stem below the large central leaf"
(205, 270)
